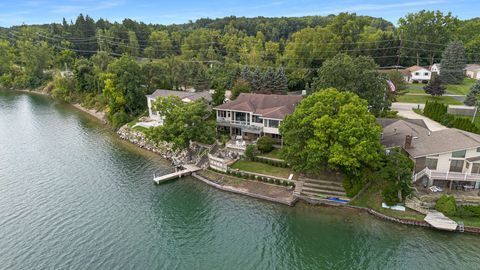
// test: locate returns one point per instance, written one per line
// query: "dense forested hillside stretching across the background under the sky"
(115, 64)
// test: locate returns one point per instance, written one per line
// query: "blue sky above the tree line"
(15, 12)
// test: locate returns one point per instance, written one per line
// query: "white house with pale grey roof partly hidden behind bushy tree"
(185, 96)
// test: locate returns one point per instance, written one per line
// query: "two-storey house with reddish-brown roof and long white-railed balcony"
(254, 115)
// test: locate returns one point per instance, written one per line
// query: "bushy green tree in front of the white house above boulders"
(183, 122)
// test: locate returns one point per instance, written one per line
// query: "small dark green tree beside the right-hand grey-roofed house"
(397, 172)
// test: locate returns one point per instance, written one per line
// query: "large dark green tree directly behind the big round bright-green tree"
(358, 75)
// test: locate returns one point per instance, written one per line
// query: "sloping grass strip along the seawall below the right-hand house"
(372, 198)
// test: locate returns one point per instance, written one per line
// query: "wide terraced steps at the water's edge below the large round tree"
(317, 188)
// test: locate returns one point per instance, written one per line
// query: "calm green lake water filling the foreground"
(73, 196)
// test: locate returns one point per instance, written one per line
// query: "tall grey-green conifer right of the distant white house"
(453, 63)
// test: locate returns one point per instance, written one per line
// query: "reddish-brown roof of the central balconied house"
(268, 106)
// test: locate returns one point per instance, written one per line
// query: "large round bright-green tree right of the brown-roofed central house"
(331, 130)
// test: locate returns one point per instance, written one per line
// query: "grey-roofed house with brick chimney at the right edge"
(447, 158)
